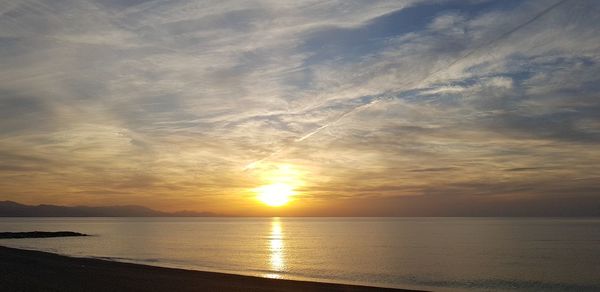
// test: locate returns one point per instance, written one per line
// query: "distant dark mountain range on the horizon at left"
(13, 209)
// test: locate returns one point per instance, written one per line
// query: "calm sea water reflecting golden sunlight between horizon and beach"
(479, 254)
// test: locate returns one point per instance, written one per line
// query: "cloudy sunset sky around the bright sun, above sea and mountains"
(361, 108)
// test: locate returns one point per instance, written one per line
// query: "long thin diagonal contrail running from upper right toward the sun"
(431, 74)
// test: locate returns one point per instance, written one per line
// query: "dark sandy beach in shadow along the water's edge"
(24, 270)
